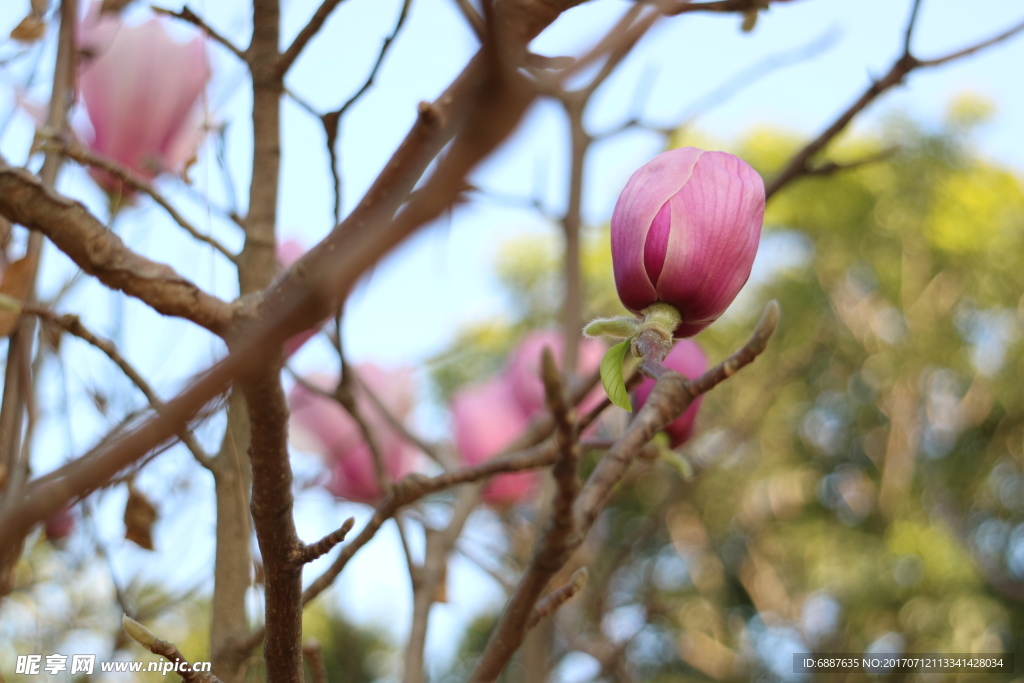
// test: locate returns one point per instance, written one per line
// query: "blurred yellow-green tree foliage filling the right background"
(861, 488)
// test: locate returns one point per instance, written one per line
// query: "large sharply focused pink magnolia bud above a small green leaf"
(686, 231)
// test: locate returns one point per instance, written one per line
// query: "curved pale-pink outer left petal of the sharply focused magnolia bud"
(648, 191)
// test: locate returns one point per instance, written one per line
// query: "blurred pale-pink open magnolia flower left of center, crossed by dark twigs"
(320, 424)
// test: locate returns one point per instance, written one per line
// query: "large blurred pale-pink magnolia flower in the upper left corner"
(142, 90)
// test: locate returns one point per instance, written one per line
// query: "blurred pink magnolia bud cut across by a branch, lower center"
(488, 419)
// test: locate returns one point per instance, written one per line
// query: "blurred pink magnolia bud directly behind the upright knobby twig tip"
(524, 369)
